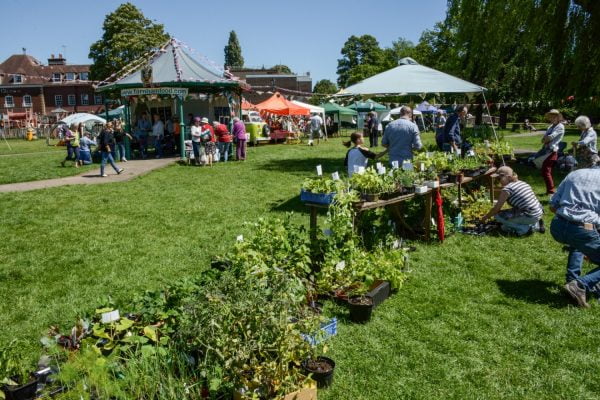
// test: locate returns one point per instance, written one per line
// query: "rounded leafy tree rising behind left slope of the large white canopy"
(361, 57)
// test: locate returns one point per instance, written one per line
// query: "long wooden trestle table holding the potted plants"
(395, 202)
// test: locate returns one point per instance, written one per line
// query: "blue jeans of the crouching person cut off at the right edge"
(581, 242)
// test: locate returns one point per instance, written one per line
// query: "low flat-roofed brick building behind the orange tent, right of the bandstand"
(264, 80)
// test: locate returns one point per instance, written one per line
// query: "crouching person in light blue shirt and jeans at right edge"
(576, 205)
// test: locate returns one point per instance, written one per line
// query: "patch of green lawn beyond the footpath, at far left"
(33, 161)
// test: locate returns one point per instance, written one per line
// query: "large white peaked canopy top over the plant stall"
(411, 78)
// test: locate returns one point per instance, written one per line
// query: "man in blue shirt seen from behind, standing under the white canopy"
(401, 137)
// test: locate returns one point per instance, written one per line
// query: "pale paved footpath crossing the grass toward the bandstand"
(133, 169)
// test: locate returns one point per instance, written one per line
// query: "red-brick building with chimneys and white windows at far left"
(30, 89)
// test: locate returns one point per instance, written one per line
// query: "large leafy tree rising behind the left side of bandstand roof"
(127, 36)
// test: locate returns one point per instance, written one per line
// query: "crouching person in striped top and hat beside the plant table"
(526, 213)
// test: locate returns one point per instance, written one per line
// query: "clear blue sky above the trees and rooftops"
(306, 35)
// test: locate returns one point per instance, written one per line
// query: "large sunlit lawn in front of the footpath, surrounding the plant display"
(479, 318)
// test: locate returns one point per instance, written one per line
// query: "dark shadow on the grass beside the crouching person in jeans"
(534, 291)
